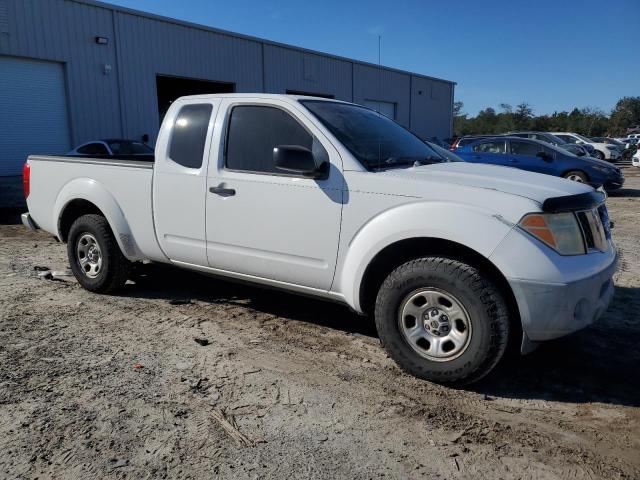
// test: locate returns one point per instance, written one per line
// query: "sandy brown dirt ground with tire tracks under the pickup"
(249, 383)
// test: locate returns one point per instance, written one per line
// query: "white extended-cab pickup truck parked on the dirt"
(331, 199)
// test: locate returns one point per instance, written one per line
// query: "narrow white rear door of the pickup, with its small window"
(180, 180)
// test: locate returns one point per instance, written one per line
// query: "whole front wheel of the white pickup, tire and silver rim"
(442, 320)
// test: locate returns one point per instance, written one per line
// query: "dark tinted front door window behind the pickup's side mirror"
(253, 133)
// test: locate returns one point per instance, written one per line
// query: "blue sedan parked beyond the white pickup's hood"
(542, 157)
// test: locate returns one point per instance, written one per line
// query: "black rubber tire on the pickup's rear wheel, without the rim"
(114, 269)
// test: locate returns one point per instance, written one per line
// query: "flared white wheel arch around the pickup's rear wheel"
(92, 191)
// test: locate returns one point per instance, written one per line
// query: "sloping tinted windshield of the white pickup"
(376, 141)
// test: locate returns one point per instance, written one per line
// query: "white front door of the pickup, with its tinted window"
(263, 222)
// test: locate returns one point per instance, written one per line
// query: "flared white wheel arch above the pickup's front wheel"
(477, 229)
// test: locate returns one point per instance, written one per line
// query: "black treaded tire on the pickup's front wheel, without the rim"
(480, 298)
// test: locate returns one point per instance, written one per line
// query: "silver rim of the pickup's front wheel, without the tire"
(435, 324)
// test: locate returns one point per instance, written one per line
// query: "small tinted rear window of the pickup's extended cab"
(190, 135)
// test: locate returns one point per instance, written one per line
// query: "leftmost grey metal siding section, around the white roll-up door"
(63, 31)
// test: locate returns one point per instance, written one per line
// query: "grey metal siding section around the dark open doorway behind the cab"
(149, 47)
